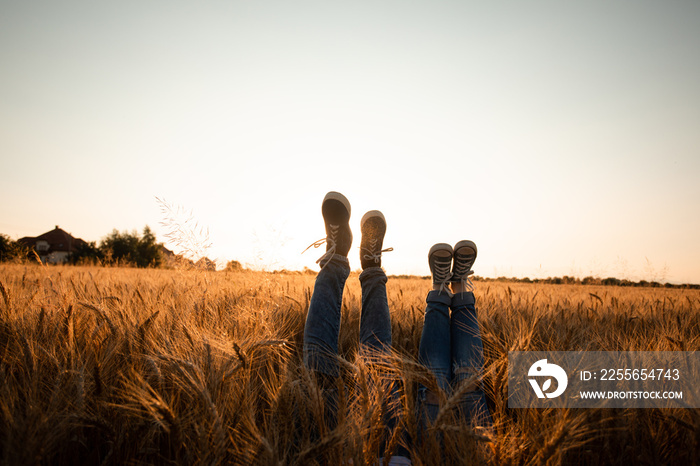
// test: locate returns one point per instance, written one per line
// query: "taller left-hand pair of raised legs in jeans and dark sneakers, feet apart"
(321, 332)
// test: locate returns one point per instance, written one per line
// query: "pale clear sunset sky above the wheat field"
(562, 137)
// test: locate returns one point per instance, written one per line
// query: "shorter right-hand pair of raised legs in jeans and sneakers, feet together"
(451, 344)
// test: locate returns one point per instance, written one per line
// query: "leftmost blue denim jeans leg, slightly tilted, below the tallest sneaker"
(323, 319)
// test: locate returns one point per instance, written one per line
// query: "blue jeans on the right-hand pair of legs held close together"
(451, 348)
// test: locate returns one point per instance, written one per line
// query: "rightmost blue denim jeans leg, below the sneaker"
(468, 355)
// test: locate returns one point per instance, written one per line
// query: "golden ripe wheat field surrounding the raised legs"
(143, 366)
